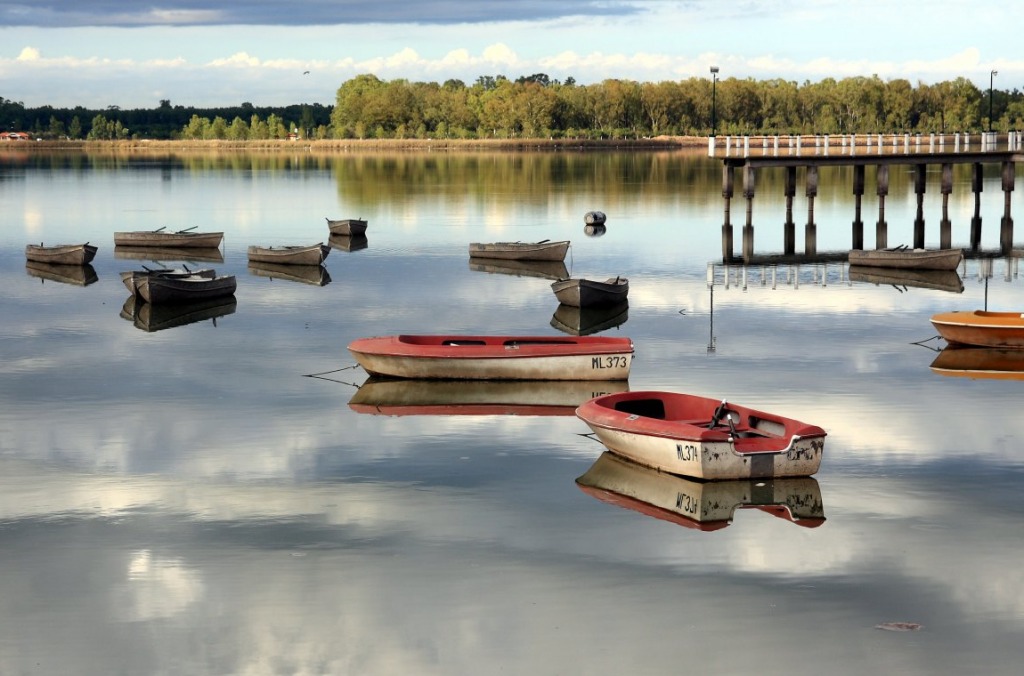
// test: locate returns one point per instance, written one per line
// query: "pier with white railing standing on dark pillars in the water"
(789, 154)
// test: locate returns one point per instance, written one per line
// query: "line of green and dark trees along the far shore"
(538, 107)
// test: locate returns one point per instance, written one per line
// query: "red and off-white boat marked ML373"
(495, 358)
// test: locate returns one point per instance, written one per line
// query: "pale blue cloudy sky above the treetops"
(210, 53)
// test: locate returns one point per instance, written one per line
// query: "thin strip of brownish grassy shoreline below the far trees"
(368, 145)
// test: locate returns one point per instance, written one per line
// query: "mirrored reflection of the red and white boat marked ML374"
(700, 505)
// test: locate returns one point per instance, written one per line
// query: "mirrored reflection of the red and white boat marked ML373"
(391, 397)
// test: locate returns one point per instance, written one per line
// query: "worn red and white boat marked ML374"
(703, 438)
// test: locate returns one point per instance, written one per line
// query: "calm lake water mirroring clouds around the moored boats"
(189, 501)
